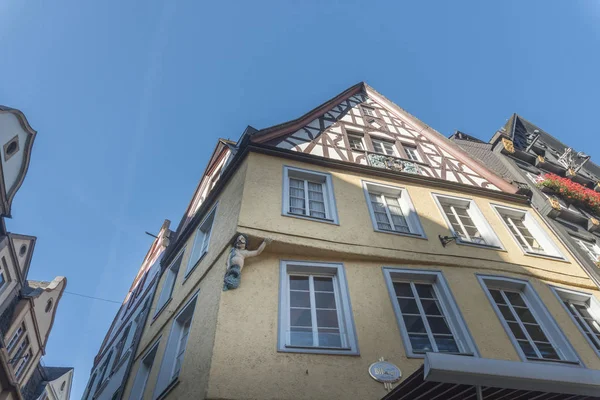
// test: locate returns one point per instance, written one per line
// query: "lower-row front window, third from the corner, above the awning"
(533, 331)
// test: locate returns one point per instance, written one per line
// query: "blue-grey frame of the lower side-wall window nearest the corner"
(167, 366)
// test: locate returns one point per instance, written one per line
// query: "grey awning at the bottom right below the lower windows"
(452, 377)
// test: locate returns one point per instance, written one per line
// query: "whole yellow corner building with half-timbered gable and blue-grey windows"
(374, 258)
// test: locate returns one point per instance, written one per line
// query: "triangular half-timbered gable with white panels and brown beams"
(361, 126)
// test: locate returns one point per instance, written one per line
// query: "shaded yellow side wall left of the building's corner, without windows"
(206, 277)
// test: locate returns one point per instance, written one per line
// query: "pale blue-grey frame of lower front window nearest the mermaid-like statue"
(343, 305)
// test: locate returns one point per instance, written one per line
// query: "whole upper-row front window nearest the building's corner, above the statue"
(308, 194)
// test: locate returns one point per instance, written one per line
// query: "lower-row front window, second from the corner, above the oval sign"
(427, 315)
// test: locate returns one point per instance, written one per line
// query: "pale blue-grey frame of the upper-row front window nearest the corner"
(317, 177)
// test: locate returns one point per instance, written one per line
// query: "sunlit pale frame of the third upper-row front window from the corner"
(481, 223)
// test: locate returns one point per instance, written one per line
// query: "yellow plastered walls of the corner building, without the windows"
(238, 329)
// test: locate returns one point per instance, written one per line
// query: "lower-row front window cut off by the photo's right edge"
(584, 309)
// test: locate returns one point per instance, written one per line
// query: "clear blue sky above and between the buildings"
(129, 99)
